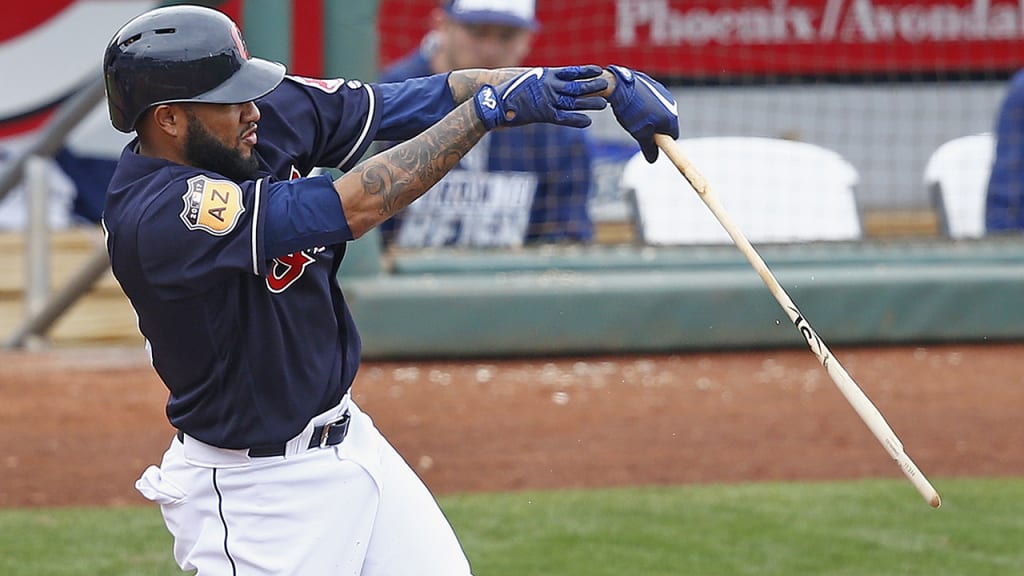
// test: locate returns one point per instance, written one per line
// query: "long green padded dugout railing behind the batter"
(637, 301)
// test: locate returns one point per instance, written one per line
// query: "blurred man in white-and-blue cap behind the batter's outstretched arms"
(525, 185)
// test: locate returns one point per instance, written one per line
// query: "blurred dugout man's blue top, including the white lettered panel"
(527, 184)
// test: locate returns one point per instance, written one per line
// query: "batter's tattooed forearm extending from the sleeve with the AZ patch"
(386, 184)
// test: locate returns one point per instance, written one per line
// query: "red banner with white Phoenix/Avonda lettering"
(758, 37)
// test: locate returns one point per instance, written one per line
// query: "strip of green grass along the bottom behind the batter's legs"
(872, 528)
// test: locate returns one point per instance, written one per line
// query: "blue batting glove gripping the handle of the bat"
(645, 108)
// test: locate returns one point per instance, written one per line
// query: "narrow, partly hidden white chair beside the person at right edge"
(957, 179)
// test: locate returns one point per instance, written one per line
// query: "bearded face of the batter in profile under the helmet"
(221, 138)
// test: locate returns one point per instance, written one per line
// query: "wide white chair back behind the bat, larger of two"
(777, 191)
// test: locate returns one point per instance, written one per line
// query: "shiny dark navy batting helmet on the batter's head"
(182, 55)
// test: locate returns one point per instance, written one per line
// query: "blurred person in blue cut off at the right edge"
(1006, 184)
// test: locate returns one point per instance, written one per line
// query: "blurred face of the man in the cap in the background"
(485, 46)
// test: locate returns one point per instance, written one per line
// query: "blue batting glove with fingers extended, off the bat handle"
(543, 95)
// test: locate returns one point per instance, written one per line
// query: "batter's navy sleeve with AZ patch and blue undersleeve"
(202, 230)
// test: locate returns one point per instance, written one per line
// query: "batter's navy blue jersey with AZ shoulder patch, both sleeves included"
(235, 284)
